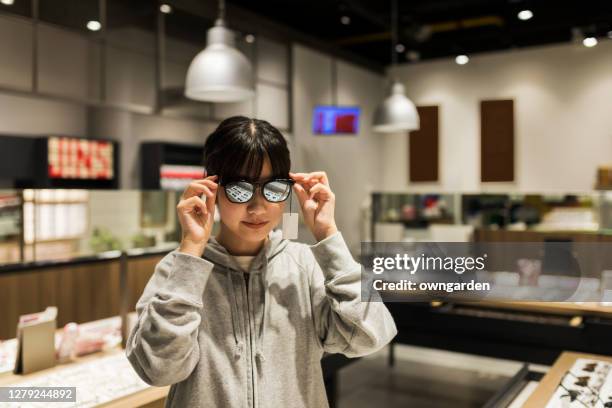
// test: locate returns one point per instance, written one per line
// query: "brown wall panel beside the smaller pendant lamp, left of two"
(423, 147)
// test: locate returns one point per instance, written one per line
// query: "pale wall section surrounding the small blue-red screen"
(352, 163)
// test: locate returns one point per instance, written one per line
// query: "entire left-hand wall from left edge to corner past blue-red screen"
(72, 90)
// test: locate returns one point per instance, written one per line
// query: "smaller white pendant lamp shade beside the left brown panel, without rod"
(397, 113)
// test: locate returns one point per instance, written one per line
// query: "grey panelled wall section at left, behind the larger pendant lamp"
(73, 98)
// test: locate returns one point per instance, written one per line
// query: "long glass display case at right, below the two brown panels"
(589, 212)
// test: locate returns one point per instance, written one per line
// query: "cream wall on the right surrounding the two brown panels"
(563, 125)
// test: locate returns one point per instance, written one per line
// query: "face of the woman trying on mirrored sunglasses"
(253, 220)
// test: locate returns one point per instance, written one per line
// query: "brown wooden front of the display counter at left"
(84, 289)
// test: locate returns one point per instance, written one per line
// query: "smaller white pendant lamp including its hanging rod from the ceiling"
(396, 113)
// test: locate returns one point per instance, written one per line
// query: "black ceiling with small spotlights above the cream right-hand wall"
(437, 28)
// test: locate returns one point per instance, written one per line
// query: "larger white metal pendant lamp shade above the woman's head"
(220, 73)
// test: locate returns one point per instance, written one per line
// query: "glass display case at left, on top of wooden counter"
(60, 224)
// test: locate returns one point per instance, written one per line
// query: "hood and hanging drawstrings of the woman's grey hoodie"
(218, 255)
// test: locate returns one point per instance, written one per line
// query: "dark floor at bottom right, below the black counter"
(371, 383)
